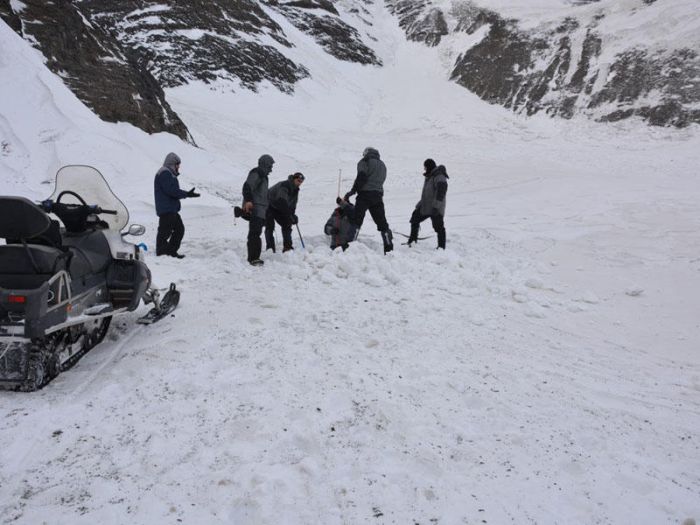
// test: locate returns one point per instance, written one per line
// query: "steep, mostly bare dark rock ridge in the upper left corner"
(111, 81)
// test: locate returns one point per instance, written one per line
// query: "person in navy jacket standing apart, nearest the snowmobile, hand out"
(167, 193)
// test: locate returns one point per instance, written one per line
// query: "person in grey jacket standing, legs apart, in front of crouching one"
(369, 186)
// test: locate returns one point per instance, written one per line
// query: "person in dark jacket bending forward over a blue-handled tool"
(282, 208)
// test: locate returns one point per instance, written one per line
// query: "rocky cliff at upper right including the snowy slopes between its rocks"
(570, 65)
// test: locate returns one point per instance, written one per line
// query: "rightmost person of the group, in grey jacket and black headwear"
(432, 202)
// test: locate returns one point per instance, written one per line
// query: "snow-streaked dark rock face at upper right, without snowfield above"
(544, 70)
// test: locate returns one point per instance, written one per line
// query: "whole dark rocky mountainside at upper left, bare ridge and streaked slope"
(118, 55)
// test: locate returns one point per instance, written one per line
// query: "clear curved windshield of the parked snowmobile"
(86, 185)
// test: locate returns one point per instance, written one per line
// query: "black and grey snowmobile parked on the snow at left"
(61, 285)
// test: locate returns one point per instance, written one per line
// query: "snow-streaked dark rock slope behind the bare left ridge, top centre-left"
(185, 40)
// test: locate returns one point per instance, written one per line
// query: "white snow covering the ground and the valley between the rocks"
(544, 368)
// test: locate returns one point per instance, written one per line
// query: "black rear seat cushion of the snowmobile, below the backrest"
(25, 267)
